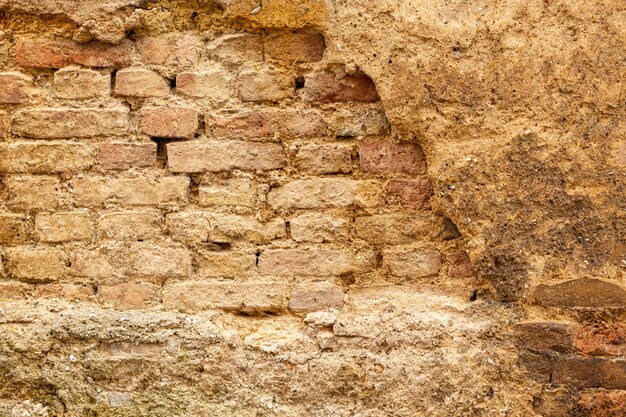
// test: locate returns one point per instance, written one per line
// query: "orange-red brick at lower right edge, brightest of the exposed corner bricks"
(601, 339)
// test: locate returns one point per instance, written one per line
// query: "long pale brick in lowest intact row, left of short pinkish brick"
(248, 298)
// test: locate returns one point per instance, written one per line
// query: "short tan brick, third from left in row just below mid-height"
(130, 225)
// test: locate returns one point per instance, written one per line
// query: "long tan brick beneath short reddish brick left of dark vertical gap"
(96, 191)
